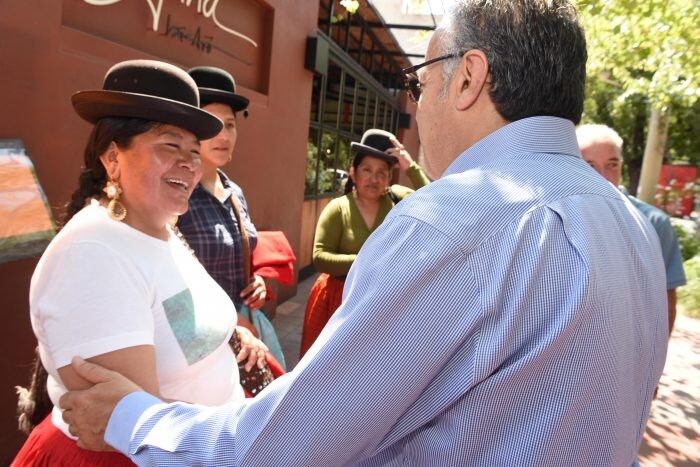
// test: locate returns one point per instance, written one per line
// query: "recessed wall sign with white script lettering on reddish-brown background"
(231, 34)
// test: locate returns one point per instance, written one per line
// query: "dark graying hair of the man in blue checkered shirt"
(536, 51)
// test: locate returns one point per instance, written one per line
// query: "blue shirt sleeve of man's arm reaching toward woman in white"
(377, 355)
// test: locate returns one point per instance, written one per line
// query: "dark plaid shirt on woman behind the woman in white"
(210, 227)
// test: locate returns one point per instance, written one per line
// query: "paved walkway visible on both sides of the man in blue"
(673, 433)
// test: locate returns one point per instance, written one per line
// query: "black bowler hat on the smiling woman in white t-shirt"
(150, 90)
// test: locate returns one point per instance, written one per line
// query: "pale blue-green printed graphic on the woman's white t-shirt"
(197, 337)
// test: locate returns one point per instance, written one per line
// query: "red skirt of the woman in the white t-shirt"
(47, 446)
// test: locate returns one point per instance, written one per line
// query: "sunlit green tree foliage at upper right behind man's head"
(642, 55)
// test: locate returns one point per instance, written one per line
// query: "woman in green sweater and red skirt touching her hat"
(346, 222)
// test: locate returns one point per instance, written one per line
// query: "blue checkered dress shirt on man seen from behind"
(511, 313)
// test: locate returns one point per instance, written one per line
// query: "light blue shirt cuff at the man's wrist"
(126, 414)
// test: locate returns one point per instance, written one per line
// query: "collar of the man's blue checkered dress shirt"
(528, 135)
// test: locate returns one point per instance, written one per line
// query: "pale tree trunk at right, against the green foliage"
(653, 154)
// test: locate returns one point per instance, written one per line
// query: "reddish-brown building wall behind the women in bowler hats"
(46, 59)
